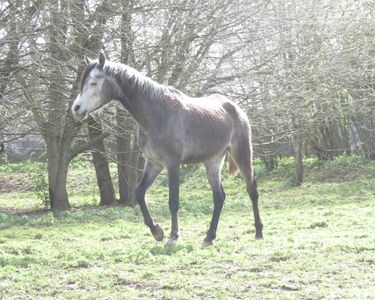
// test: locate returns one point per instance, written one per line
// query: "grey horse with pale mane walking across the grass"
(174, 129)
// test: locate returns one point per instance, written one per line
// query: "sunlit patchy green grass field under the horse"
(319, 239)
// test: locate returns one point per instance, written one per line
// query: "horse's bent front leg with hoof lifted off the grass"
(150, 172)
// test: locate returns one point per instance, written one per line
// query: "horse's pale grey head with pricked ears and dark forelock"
(96, 89)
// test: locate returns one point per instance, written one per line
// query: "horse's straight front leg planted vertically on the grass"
(174, 203)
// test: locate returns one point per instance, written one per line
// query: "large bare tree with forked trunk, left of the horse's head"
(50, 81)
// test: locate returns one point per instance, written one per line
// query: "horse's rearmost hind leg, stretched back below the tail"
(242, 156)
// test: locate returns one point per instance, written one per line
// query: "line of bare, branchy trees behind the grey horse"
(302, 70)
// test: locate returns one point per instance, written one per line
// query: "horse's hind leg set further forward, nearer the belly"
(213, 175)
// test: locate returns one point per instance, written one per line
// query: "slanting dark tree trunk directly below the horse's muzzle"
(103, 175)
